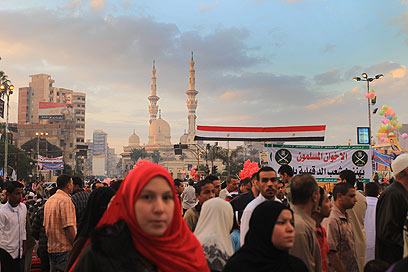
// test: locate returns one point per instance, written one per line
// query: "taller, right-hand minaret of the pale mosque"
(191, 101)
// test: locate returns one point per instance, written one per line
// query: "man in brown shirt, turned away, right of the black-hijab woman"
(305, 198)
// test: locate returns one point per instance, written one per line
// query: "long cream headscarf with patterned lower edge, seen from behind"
(213, 231)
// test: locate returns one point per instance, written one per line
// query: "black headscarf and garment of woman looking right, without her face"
(258, 253)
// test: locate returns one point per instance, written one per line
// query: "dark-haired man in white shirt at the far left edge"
(13, 229)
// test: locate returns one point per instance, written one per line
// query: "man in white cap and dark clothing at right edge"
(392, 207)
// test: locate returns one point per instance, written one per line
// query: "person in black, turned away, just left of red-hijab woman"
(97, 204)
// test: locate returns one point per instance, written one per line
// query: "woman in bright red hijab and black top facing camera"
(142, 229)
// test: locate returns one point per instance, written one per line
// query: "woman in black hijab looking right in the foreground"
(271, 234)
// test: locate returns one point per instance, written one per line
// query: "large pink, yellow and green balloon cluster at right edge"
(389, 126)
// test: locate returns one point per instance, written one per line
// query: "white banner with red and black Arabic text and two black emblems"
(323, 162)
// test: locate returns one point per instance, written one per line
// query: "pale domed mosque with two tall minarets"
(160, 134)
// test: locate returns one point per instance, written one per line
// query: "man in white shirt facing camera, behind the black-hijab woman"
(268, 184)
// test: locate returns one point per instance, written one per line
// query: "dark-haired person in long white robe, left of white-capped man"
(372, 190)
